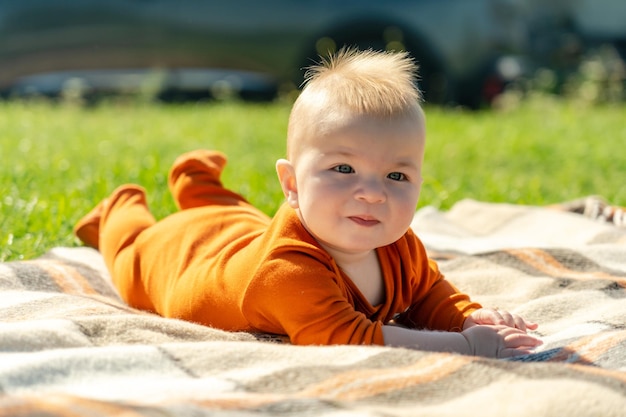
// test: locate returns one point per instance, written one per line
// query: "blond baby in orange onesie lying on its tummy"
(338, 263)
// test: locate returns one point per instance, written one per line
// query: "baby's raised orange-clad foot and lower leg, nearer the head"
(195, 181)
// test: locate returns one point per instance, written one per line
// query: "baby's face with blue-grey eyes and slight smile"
(358, 184)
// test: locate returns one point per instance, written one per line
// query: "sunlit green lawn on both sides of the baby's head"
(58, 161)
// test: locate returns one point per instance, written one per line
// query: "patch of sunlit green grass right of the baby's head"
(540, 153)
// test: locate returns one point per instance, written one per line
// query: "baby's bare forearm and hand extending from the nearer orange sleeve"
(484, 340)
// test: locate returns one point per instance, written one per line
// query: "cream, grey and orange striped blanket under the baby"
(70, 347)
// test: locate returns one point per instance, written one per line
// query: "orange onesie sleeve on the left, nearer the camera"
(301, 296)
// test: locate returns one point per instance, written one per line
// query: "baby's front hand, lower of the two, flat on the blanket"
(499, 341)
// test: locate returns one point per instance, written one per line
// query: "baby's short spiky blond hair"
(354, 83)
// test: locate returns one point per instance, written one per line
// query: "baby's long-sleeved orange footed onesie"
(221, 262)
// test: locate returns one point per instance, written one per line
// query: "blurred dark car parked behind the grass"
(256, 48)
